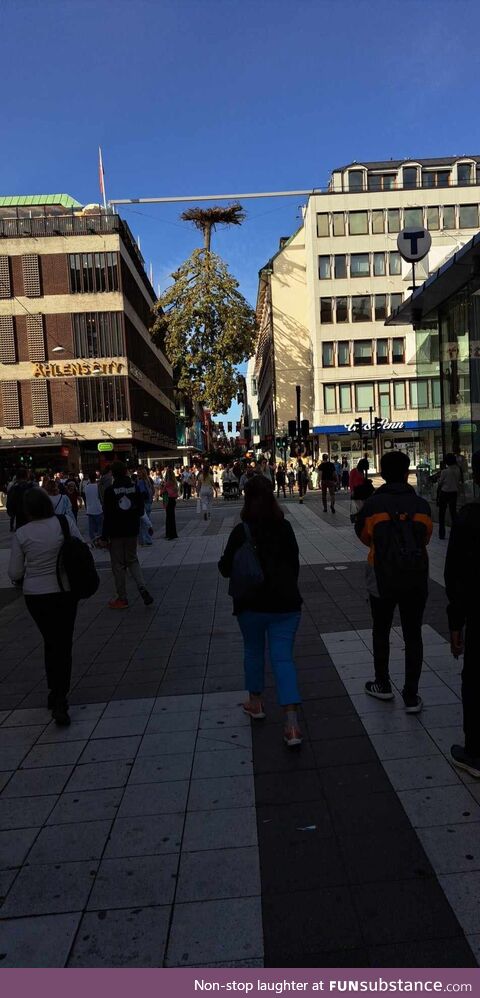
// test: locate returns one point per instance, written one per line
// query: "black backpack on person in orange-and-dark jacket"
(401, 561)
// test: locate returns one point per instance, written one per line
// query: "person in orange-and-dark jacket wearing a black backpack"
(396, 524)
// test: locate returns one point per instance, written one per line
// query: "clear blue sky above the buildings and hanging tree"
(213, 96)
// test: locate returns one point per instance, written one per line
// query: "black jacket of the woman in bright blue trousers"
(277, 551)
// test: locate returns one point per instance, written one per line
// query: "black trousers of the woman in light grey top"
(54, 615)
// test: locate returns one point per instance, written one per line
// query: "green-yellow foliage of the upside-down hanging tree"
(206, 328)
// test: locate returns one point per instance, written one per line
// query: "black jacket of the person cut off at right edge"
(462, 568)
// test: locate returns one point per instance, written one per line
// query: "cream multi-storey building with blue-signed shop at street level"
(341, 285)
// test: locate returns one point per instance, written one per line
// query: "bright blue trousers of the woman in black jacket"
(281, 629)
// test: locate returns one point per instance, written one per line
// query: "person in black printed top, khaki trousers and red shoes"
(122, 510)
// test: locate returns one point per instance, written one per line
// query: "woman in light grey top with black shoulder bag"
(33, 563)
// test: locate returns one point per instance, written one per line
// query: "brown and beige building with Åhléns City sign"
(78, 368)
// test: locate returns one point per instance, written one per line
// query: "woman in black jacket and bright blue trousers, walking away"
(271, 608)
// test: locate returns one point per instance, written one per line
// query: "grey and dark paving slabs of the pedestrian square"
(162, 829)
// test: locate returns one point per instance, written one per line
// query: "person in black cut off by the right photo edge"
(462, 587)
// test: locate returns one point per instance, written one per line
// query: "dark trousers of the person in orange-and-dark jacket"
(411, 615)
